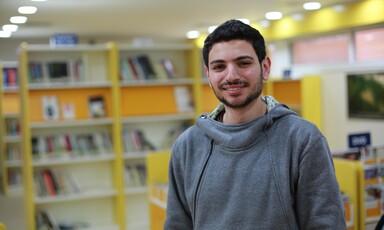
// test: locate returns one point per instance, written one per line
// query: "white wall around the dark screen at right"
(336, 123)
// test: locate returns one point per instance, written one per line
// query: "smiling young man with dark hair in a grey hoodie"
(252, 163)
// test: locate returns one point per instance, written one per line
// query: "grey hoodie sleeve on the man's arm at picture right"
(319, 203)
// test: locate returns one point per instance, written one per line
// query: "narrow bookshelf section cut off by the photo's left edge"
(9, 134)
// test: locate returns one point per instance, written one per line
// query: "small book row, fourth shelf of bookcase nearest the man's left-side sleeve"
(135, 174)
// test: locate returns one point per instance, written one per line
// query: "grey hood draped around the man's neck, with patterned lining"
(241, 136)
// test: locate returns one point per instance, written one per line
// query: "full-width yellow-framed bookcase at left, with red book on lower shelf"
(56, 105)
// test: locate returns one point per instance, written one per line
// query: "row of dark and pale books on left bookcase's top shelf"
(56, 71)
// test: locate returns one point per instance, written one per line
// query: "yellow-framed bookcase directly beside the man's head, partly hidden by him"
(156, 108)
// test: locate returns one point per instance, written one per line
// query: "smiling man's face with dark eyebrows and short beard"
(235, 74)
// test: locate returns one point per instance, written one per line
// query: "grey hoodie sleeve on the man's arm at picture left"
(178, 215)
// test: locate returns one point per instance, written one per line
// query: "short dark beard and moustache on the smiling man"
(255, 93)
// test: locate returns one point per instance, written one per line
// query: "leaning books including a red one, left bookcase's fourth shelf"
(50, 182)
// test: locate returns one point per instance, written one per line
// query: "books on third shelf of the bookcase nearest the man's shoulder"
(134, 140)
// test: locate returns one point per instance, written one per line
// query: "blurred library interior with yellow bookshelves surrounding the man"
(85, 143)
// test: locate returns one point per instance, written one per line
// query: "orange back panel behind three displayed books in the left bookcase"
(79, 98)
